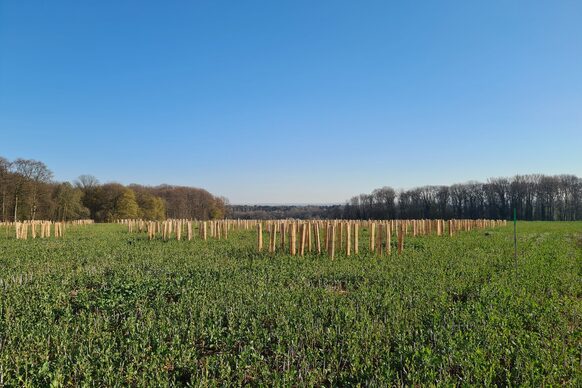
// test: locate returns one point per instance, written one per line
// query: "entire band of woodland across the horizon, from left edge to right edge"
(28, 192)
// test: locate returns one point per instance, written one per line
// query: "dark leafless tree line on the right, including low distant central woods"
(535, 197)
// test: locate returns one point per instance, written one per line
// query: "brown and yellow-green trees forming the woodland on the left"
(28, 192)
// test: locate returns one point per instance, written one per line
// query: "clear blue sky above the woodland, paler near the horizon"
(292, 101)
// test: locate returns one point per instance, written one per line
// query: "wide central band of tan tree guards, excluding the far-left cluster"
(298, 237)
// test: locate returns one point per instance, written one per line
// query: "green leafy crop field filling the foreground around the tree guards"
(102, 307)
